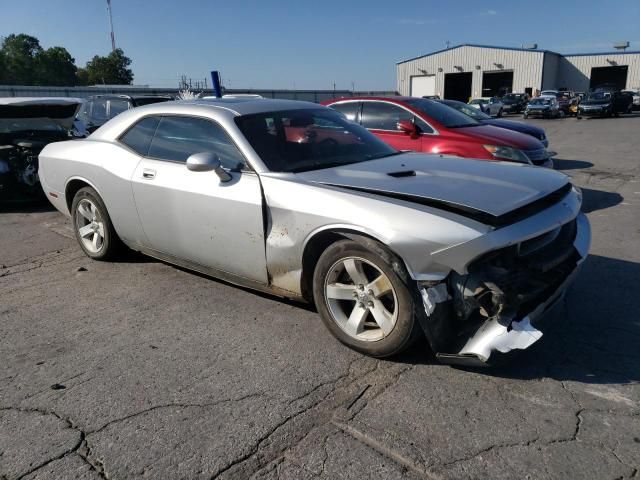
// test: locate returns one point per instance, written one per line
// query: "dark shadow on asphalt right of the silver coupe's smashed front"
(595, 338)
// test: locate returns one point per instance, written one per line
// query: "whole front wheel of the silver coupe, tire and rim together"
(361, 292)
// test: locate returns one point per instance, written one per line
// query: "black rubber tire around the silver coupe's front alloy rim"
(406, 329)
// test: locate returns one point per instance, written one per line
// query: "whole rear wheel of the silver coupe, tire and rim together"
(92, 225)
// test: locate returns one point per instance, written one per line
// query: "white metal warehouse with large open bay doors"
(470, 71)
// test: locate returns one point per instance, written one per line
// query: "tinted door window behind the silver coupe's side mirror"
(177, 138)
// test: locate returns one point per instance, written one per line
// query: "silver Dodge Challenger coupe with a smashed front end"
(293, 199)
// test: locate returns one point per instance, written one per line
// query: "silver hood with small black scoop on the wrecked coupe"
(491, 189)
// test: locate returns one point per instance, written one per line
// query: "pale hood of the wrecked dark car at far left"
(59, 110)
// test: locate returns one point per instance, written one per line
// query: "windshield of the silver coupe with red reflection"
(309, 139)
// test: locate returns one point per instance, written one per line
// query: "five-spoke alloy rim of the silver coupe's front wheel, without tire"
(361, 299)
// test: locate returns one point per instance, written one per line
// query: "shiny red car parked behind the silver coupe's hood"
(422, 125)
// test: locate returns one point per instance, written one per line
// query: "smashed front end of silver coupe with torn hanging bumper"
(499, 304)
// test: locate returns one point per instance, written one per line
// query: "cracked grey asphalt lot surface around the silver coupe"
(138, 369)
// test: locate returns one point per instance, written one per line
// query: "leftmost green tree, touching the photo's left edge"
(20, 52)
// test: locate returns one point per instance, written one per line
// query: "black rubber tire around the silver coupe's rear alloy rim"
(110, 244)
